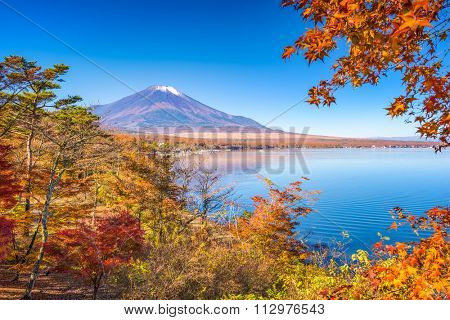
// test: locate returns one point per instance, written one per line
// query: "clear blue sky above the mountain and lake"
(225, 54)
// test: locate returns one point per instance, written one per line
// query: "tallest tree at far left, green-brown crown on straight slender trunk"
(25, 109)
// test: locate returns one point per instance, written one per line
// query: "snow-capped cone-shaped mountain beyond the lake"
(166, 107)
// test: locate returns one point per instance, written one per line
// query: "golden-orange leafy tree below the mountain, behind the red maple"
(145, 185)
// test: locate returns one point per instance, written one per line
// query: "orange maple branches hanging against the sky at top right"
(405, 36)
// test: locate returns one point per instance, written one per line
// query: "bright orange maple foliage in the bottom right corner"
(415, 270)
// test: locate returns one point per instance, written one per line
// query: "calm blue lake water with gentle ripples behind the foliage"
(358, 187)
